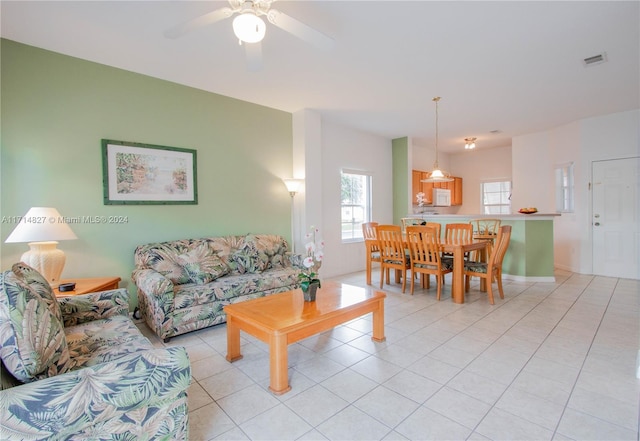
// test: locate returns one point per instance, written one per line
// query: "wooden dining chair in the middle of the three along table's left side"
(392, 253)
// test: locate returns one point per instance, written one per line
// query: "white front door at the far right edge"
(616, 222)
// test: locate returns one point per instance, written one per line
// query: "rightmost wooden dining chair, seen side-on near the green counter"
(493, 267)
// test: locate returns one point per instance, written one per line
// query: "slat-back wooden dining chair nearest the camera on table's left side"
(425, 259)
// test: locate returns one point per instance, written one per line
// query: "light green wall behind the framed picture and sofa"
(56, 109)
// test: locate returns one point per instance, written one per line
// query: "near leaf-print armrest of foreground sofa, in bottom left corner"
(143, 395)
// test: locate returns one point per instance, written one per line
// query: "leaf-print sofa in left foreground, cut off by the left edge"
(78, 367)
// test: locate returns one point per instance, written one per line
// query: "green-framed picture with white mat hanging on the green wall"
(135, 173)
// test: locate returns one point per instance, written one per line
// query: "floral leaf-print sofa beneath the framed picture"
(184, 284)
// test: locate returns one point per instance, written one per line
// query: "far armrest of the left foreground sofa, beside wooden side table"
(94, 306)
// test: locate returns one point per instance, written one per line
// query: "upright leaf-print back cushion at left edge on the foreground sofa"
(32, 339)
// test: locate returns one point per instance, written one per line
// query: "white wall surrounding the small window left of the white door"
(534, 158)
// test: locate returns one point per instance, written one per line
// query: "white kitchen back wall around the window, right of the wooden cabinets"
(475, 167)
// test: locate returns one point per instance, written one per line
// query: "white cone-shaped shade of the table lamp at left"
(41, 224)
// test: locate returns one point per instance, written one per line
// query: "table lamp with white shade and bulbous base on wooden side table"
(42, 227)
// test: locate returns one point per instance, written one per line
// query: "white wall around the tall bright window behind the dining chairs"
(333, 148)
